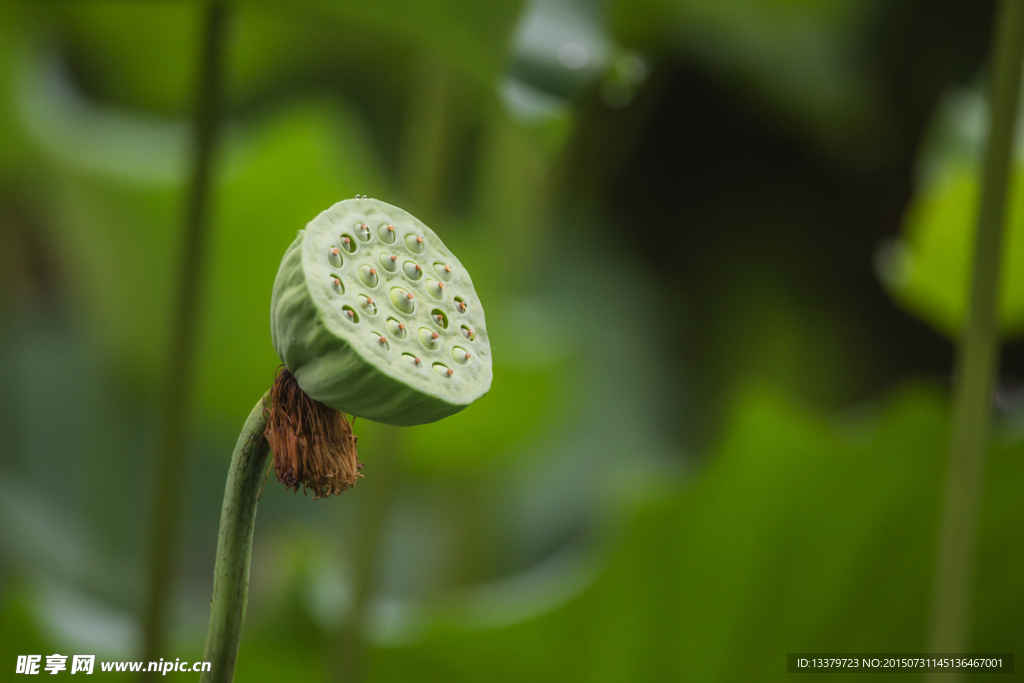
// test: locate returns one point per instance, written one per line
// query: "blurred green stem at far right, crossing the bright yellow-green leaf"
(977, 359)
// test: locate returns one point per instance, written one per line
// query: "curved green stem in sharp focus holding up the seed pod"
(235, 545)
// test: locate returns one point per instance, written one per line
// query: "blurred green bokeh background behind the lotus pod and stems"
(723, 263)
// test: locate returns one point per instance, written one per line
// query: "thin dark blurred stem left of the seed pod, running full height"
(177, 405)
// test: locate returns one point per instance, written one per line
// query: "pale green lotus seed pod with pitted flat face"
(362, 317)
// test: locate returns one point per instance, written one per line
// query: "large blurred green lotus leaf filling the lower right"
(803, 534)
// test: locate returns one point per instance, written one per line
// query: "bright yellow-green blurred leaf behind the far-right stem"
(928, 270)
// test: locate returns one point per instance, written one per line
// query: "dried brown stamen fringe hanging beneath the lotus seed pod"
(313, 445)
